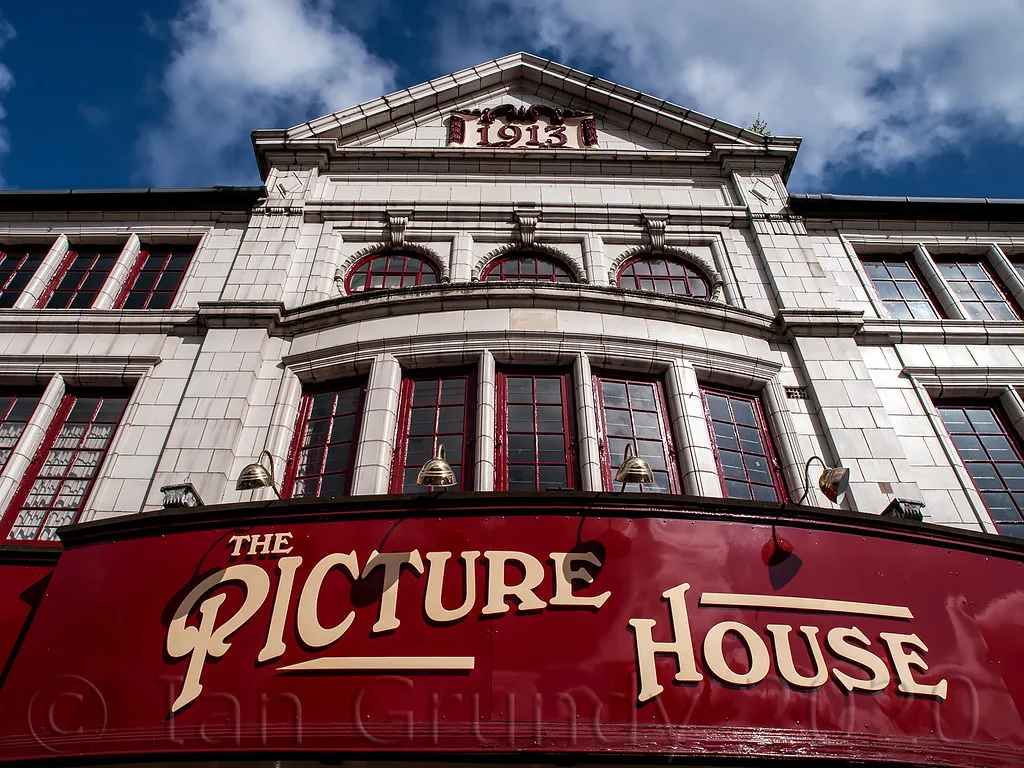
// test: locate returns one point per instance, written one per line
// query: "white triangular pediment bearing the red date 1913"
(570, 109)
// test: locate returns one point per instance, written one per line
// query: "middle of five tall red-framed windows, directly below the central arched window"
(535, 436)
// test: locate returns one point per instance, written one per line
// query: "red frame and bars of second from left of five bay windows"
(462, 461)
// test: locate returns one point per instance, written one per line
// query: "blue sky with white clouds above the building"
(919, 98)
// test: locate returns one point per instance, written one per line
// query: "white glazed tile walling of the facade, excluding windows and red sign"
(263, 312)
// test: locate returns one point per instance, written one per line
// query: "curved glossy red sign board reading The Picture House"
(615, 629)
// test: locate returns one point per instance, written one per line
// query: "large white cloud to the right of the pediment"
(873, 83)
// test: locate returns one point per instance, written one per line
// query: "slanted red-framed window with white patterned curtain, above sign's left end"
(55, 490)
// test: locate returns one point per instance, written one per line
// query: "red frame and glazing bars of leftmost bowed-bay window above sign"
(300, 444)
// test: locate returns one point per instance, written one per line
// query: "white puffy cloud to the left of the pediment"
(241, 65)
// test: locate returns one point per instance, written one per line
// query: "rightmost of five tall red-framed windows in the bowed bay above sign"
(743, 448)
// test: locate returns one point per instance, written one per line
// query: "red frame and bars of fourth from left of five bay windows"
(612, 458)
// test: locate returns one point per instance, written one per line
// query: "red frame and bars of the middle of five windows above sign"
(504, 437)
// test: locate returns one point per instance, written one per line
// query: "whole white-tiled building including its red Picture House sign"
(536, 270)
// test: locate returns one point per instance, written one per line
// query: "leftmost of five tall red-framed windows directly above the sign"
(324, 450)
